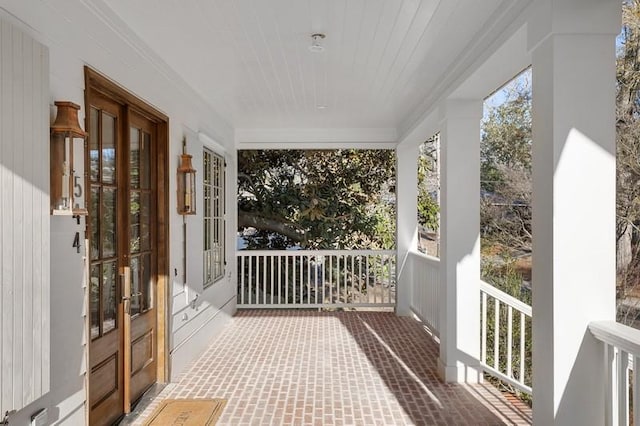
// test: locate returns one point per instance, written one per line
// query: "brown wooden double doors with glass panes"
(123, 230)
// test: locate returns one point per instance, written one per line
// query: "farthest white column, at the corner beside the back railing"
(406, 222)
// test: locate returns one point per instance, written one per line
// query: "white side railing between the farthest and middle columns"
(425, 291)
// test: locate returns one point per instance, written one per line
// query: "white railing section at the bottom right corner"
(622, 348)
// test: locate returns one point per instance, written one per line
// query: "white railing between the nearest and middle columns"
(505, 325)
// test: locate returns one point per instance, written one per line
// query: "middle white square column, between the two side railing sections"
(460, 241)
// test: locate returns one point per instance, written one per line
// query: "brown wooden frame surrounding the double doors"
(98, 84)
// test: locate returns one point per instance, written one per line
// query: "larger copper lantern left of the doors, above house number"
(67, 162)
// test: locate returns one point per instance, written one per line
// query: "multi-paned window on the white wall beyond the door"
(214, 205)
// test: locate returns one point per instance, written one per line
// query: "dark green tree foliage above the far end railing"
(317, 199)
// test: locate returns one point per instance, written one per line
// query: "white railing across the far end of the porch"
(316, 278)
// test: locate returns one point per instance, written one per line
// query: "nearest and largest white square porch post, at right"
(574, 180)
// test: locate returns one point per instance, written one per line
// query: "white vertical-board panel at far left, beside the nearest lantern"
(24, 219)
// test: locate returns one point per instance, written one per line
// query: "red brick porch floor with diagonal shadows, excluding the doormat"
(342, 368)
